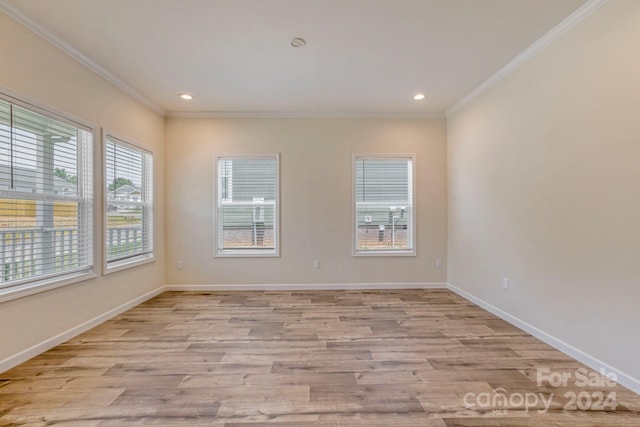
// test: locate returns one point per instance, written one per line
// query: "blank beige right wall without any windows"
(544, 188)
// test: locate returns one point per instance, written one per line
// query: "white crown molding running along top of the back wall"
(296, 115)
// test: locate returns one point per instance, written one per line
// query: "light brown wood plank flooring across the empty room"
(316, 358)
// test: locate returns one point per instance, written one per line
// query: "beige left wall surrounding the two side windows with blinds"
(34, 68)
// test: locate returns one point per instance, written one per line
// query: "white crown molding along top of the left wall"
(17, 15)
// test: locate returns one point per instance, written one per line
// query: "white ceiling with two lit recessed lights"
(361, 57)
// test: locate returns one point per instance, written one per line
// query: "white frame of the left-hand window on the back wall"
(246, 253)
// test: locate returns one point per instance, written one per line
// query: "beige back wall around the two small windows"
(315, 188)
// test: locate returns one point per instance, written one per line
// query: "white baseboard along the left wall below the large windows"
(48, 344)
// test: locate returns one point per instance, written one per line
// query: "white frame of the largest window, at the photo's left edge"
(25, 287)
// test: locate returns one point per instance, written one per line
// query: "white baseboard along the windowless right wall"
(624, 379)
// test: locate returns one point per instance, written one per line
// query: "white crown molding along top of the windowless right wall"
(571, 21)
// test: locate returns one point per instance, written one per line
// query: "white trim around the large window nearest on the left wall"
(20, 290)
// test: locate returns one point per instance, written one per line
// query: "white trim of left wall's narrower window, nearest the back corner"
(115, 266)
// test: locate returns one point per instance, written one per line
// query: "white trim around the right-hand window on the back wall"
(354, 234)
